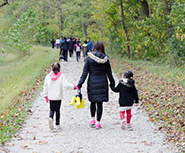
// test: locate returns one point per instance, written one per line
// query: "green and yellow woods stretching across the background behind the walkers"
(145, 29)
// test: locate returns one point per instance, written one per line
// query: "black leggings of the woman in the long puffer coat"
(99, 110)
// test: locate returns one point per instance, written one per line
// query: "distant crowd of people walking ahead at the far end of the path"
(72, 45)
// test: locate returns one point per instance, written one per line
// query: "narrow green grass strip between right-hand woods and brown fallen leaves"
(176, 74)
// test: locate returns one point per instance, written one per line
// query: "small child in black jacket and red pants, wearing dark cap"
(127, 97)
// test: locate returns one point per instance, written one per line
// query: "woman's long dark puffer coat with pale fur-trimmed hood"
(98, 67)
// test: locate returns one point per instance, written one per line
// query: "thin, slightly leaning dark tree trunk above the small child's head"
(125, 29)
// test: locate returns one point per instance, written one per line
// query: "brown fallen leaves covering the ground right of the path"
(162, 100)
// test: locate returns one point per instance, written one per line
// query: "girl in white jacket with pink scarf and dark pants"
(53, 92)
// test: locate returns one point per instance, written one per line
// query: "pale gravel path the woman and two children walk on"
(76, 136)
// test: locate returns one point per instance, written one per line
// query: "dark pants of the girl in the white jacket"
(55, 108)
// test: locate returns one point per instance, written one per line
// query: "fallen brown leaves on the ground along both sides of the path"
(162, 100)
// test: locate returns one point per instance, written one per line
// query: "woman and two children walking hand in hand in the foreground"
(98, 70)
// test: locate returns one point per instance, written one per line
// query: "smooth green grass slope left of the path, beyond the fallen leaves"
(19, 73)
